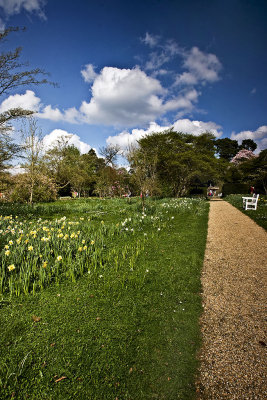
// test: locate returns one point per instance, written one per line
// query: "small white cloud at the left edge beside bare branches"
(27, 101)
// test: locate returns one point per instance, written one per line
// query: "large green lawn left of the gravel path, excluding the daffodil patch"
(124, 332)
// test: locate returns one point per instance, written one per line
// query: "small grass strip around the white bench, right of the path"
(259, 215)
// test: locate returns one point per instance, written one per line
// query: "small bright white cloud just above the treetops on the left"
(52, 138)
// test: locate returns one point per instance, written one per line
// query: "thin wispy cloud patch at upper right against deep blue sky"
(201, 67)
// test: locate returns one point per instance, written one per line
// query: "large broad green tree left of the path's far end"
(169, 162)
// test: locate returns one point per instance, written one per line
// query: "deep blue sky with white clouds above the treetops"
(127, 68)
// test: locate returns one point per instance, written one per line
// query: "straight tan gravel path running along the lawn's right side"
(233, 363)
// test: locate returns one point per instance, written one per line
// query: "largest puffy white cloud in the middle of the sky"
(124, 97)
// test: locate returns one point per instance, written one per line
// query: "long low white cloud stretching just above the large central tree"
(125, 139)
